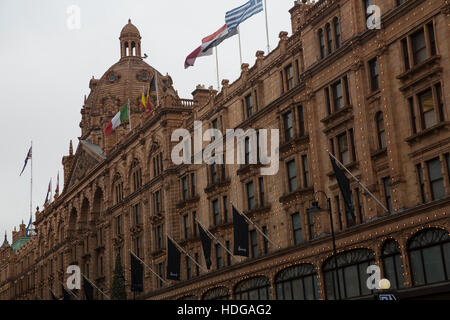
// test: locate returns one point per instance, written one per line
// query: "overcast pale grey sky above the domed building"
(45, 70)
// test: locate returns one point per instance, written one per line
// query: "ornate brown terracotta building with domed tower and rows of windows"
(377, 99)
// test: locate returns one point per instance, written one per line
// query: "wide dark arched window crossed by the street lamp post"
(351, 271)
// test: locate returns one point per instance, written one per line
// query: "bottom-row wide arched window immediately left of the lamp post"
(297, 283)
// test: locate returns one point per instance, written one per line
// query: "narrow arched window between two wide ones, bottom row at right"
(392, 264)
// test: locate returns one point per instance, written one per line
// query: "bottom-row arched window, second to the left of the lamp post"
(253, 289)
